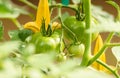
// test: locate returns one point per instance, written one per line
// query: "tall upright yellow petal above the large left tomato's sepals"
(43, 13)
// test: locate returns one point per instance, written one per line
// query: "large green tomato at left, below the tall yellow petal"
(47, 44)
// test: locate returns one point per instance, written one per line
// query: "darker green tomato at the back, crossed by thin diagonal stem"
(77, 27)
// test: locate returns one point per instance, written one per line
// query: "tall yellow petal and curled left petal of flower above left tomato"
(42, 13)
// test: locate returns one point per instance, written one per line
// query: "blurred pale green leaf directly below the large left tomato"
(41, 61)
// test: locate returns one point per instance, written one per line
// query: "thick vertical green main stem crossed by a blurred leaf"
(87, 10)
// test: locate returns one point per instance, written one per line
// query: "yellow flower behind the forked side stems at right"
(98, 46)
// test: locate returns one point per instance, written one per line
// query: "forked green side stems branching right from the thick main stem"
(95, 58)
